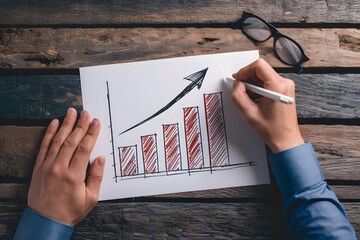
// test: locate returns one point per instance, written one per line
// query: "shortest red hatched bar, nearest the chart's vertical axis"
(128, 160)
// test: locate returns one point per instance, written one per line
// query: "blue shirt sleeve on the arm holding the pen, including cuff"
(311, 209)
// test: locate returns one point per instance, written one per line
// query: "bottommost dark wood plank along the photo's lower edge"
(173, 220)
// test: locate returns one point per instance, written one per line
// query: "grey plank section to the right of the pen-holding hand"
(327, 95)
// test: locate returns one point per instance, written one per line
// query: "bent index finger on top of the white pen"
(258, 70)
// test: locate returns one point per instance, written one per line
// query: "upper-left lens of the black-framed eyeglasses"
(256, 29)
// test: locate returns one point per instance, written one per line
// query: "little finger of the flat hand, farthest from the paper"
(46, 142)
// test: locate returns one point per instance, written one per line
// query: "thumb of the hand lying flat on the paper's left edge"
(94, 180)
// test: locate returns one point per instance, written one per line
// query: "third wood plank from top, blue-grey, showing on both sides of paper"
(47, 97)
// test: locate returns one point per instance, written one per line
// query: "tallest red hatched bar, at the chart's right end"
(215, 126)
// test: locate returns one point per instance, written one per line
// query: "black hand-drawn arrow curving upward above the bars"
(196, 80)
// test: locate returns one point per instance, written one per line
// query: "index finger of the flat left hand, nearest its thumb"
(82, 154)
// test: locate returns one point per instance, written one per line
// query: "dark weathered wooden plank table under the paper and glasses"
(42, 45)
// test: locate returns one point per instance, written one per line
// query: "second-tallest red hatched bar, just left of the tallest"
(193, 138)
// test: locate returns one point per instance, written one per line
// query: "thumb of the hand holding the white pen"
(248, 109)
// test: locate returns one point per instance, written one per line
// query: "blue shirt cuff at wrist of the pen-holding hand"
(295, 169)
